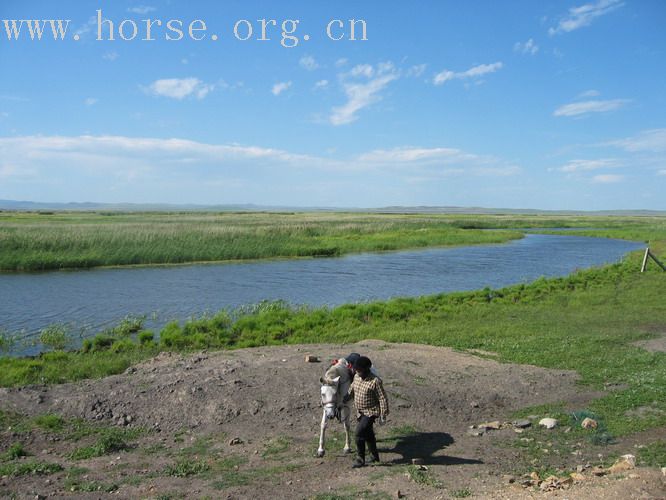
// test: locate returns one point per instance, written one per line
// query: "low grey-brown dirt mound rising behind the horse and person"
(262, 389)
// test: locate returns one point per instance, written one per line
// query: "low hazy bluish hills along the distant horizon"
(249, 207)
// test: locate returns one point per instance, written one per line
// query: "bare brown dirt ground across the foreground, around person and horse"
(250, 420)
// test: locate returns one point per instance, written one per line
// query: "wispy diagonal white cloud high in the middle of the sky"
(360, 93)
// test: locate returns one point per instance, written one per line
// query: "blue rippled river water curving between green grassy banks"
(93, 299)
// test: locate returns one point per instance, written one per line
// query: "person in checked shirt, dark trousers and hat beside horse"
(371, 403)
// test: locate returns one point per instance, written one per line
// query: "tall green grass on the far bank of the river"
(30, 241)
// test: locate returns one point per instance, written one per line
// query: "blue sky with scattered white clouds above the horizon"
(556, 105)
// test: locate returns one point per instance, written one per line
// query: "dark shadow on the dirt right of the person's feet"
(422, 445)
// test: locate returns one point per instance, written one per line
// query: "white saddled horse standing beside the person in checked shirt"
(334, 388)
